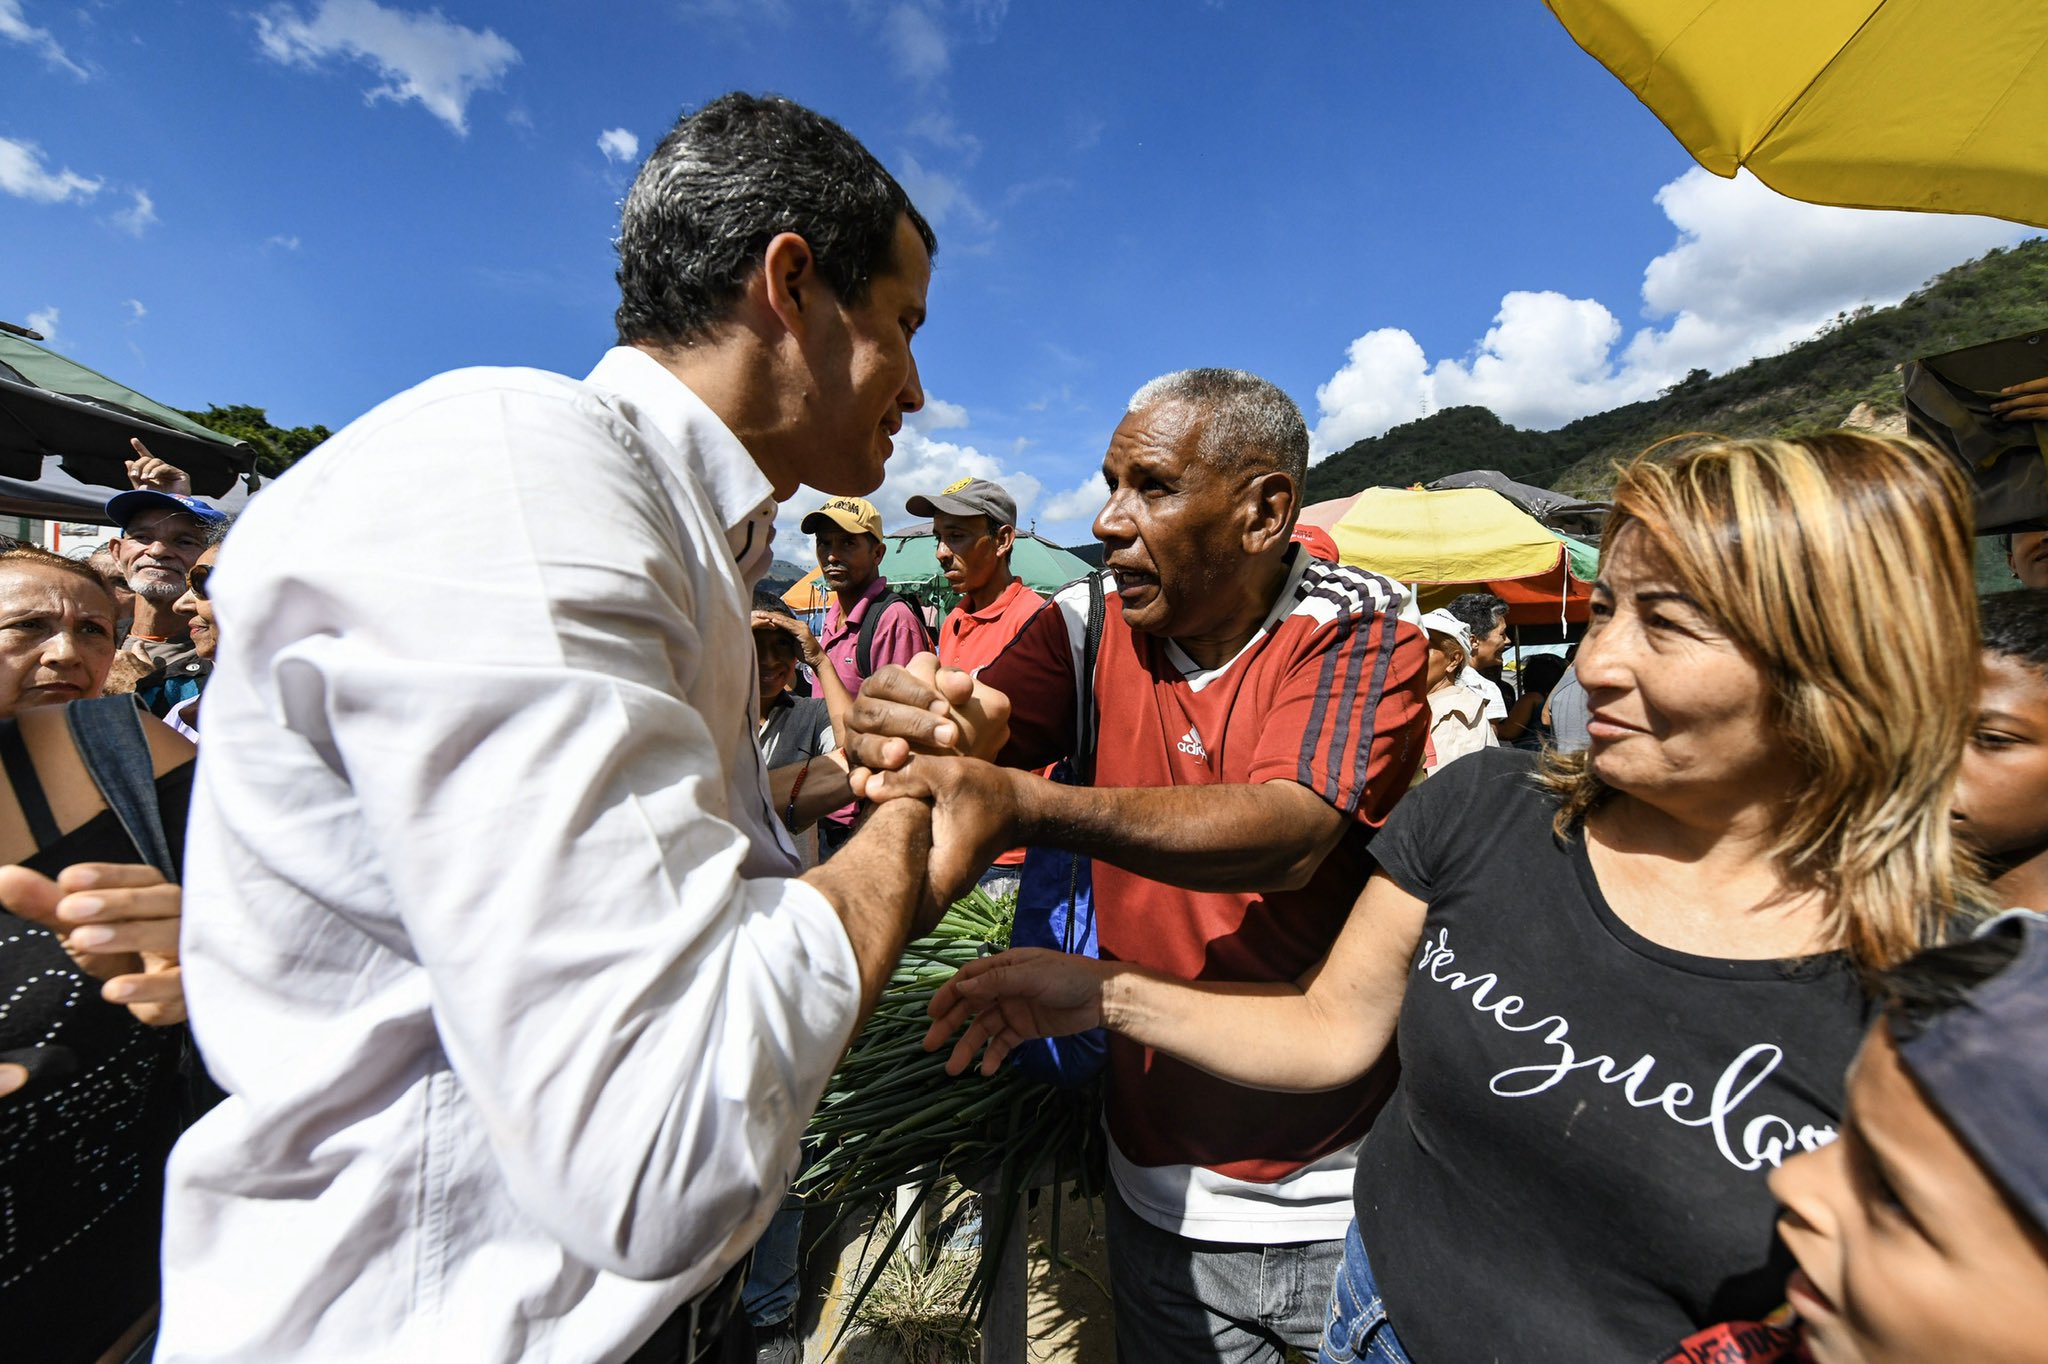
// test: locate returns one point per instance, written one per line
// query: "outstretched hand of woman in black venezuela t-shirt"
(1013, 998)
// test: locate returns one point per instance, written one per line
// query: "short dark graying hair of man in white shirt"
(730, 179)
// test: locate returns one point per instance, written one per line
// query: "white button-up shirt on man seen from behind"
(488, 925)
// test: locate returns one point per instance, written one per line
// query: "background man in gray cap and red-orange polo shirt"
(976, 523)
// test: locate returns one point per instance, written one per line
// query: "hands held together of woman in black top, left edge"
(120, 923)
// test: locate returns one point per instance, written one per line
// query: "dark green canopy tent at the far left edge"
(52, 407)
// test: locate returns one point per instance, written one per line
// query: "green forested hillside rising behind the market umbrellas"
(1809, 388)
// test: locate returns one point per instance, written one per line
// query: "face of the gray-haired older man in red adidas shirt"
(1175, 525)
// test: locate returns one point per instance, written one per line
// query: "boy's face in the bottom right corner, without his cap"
(1908, 1252)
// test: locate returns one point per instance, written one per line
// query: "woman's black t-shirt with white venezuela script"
(1574, 1164)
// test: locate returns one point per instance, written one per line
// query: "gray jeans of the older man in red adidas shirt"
(1211, 1302)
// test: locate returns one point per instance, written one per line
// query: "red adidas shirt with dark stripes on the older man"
(1328, 695)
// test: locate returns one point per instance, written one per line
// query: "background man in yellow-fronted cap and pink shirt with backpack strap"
(867, 626)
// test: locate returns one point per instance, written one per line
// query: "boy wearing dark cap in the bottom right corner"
(1922, 1232)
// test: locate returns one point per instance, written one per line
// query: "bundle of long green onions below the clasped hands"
(892, 1117)
